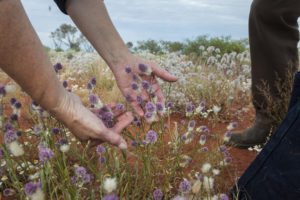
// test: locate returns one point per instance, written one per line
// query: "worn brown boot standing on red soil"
(255, 135)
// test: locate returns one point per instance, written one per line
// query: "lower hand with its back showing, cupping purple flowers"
(86, 125)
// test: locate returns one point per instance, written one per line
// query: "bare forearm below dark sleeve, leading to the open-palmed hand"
(92, 19)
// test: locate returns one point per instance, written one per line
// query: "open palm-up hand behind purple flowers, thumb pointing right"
(124, 80)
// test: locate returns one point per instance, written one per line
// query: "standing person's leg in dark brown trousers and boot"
(274, 35)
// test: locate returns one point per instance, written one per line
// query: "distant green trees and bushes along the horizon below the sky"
(68, 37)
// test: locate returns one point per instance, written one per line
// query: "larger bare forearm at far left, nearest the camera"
(23, 57)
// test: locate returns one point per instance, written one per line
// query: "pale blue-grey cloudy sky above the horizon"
(173, 20)
